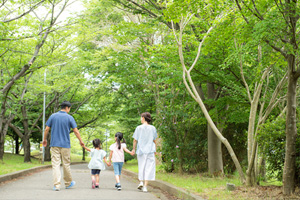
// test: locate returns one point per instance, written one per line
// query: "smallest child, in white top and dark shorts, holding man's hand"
(96, 163)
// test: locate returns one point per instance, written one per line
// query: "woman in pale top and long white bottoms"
(144, 138)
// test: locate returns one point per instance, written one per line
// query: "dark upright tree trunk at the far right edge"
(291, 131)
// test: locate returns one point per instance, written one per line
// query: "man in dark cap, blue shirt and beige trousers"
(60, 124)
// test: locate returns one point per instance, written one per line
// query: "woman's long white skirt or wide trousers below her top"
(146, 164)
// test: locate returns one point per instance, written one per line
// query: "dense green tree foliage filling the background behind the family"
(117, 59)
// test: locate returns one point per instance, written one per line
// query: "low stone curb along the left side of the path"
(17, 174)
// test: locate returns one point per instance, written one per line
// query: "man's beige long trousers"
(58, 154)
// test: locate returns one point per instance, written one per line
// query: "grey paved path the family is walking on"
(38, 186)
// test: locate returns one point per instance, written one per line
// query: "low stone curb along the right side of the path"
(169, 188)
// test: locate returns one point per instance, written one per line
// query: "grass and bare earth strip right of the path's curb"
(210, 187)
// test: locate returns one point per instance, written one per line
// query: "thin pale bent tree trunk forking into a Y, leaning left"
(193, 92)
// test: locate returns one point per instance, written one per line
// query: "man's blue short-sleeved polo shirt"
(60, 124)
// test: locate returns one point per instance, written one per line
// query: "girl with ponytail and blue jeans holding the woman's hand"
(117, 156)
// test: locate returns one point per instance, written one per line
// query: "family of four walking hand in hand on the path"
(144, 146)
